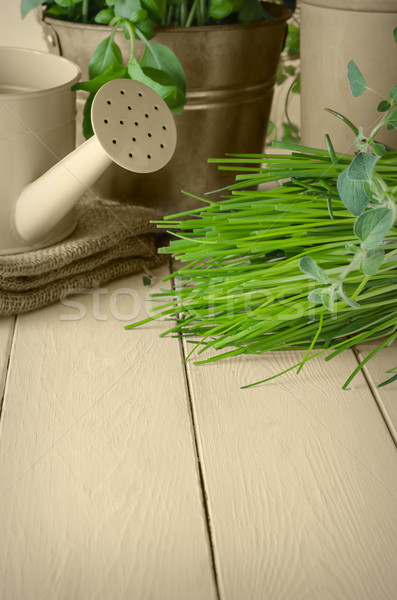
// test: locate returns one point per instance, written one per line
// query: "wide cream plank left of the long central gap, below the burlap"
(100, 494)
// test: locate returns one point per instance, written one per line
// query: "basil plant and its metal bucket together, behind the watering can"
(229, 52)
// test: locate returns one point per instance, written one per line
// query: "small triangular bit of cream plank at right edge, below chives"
(376, 372)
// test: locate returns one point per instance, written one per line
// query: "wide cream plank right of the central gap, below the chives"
(301, 480)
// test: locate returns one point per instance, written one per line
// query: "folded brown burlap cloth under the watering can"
(111, 240)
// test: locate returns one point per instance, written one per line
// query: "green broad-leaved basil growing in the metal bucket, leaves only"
(159, 68)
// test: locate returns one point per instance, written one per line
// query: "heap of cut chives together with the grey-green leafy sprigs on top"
(310, 265)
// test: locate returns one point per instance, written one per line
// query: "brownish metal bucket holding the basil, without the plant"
(230, 72)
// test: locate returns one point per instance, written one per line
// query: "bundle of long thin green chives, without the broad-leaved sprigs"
(240, 289)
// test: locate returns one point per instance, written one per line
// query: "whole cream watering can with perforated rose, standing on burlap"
(42, 176)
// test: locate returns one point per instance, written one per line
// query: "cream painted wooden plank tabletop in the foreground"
(126, 474)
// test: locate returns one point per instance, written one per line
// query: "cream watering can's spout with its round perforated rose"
(133, 127)
